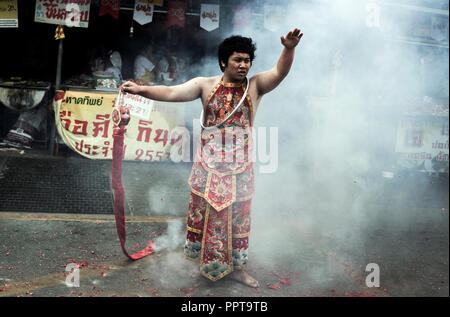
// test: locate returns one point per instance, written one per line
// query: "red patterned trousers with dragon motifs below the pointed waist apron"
(217, 239)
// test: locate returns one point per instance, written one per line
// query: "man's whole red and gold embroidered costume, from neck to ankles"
(222, 185)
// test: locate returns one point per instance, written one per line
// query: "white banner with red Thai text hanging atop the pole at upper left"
(72, 13)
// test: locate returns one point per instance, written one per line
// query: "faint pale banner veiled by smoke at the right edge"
(422, 142)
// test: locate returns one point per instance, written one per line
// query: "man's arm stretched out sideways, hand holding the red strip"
(187, 91)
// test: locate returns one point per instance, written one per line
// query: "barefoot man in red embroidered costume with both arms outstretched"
(218, 223)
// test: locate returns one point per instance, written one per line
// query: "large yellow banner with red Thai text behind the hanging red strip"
(83, 120)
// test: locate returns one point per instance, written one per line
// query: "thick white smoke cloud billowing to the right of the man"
(337, 114)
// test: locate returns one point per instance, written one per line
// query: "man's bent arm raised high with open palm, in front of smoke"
(268, 80)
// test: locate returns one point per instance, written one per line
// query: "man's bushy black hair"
(238, 44)
